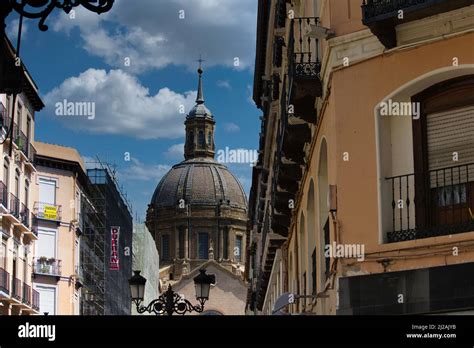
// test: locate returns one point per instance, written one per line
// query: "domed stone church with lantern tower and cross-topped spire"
(198, 217)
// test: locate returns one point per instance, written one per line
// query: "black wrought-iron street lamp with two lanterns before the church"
(171, 302)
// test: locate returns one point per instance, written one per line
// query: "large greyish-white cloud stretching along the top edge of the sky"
(153, 36)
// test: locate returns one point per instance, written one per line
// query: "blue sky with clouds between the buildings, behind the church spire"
(83, 58)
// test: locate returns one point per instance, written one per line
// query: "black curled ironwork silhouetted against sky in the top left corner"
(42, 8)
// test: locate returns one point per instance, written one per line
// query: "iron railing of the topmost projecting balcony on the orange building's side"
(303, 50)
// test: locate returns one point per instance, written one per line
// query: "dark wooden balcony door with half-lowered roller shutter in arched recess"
(444, 156)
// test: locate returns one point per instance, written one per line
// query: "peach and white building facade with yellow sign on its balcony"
(69, 253)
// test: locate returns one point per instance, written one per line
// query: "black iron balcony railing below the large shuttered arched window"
(446, 208)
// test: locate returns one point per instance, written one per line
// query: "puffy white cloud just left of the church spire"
(122, 105)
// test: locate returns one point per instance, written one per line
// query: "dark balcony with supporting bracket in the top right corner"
(382, 16)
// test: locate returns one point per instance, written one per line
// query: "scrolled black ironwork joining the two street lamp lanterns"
(170, 303)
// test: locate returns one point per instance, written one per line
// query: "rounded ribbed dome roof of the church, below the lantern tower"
(199, 182)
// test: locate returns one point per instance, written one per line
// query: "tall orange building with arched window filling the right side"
(368, 209)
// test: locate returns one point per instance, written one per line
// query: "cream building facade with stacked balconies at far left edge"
(17, 177)
